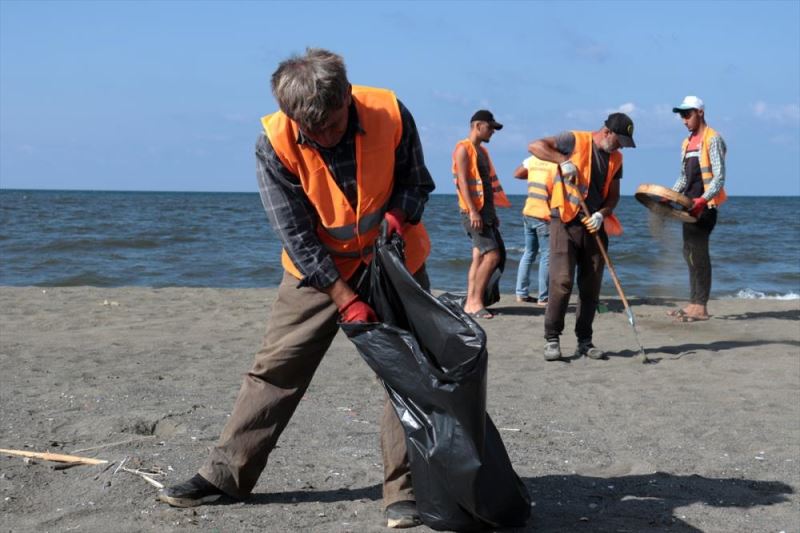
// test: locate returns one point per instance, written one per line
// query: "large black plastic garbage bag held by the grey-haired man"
(432, 358)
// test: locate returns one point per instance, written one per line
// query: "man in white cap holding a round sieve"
(702, 179)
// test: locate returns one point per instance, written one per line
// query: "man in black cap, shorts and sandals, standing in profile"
(479, 192)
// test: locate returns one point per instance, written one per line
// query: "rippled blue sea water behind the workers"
(158, 239)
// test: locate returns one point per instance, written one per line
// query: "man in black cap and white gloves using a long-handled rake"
(590, 165)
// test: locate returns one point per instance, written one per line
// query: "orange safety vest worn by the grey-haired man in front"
(347, 234)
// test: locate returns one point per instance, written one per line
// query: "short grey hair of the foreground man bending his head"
(310, 86)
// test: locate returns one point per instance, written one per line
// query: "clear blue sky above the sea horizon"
(167, 95)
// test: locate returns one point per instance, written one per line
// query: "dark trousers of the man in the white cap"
(695, 252)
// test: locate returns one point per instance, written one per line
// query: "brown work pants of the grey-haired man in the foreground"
(301, 328)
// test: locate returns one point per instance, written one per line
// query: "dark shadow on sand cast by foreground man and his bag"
(634, 503)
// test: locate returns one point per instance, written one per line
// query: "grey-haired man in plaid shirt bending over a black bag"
(333, 164)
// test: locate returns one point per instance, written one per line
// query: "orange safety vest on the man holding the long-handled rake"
(582, 158)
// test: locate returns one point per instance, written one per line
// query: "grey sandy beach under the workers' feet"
(705, 438)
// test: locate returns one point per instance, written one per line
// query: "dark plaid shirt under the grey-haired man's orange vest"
(292, 215)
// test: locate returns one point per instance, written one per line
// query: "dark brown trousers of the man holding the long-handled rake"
(571, 246)
